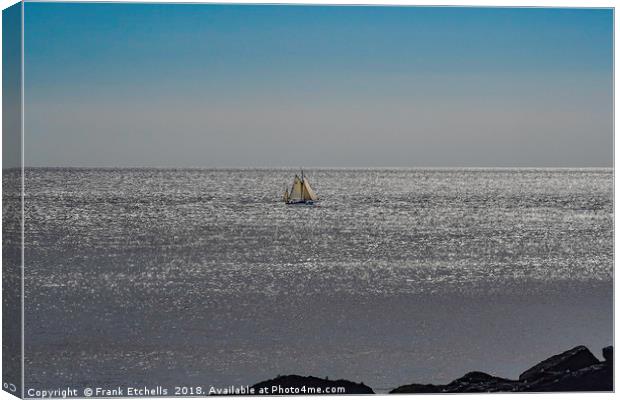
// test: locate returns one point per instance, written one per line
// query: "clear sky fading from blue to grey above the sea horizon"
(180, 85)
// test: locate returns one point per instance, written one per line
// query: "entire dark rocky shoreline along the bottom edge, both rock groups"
(576, 369)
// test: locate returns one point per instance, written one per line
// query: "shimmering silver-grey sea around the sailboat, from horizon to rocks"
(204, 277)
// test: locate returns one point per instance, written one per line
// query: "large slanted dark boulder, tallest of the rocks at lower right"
(571, 360)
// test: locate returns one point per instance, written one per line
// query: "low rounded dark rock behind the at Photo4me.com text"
(305, 385)
